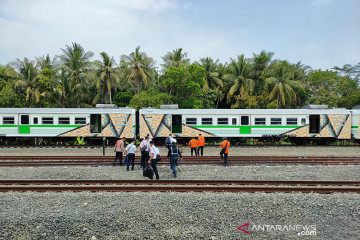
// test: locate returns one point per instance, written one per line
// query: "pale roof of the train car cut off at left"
(65, 110)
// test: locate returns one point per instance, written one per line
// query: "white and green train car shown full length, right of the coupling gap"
(299, 125)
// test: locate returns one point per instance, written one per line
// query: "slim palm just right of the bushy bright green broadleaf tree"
(212, 80)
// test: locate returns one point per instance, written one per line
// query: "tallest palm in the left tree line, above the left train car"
(77, 62)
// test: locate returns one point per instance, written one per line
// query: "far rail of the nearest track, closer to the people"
(176, 182)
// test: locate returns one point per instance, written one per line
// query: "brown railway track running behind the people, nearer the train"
(42, 161)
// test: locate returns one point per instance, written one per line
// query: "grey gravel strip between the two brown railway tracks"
(206, 172)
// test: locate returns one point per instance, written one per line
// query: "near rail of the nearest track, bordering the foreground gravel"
(139, 188)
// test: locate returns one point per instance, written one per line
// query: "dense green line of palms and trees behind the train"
(72, 80)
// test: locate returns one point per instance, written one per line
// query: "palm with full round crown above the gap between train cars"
(138, 69)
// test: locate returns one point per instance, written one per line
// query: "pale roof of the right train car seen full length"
(244, 111)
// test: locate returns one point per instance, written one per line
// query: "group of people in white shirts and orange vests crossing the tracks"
(150, 154)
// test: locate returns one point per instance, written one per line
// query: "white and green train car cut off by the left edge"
(68, 122)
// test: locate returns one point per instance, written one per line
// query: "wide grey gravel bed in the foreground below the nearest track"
(103, 215)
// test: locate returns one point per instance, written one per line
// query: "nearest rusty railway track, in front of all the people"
(180, 186)
